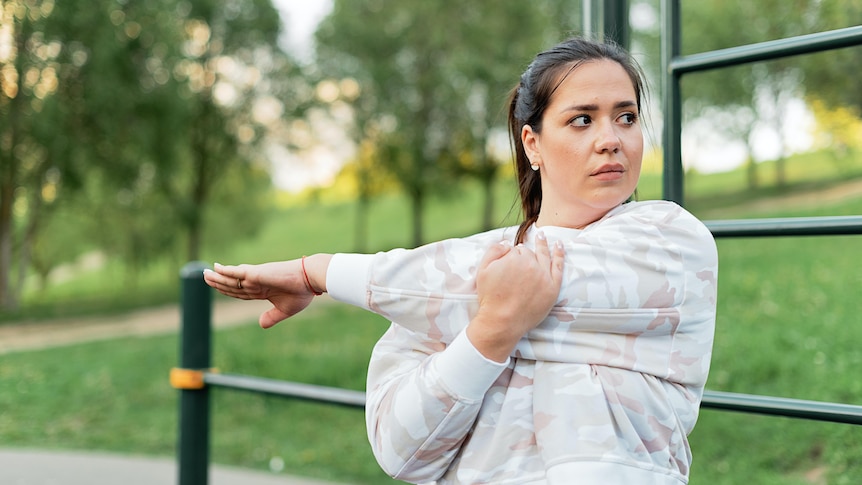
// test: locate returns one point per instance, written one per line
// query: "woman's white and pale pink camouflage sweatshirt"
(604, 391)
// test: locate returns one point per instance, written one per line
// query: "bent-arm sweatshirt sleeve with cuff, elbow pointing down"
(423, 398)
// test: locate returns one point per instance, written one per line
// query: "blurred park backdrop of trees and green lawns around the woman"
(138, 136)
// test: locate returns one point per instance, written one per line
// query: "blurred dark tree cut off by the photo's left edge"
(33, 155)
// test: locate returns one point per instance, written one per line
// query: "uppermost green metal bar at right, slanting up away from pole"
(764, 51)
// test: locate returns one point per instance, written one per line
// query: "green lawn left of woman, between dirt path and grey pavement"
(115, 396)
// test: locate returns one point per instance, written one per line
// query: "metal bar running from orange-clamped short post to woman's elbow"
(310, 392)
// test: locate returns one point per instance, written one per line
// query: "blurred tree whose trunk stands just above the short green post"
(203, 80)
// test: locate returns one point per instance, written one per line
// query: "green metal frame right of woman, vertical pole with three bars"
(673, 188)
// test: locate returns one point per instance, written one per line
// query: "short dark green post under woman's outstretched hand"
(195, 344)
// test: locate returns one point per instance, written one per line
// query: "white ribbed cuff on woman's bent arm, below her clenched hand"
(465, 371)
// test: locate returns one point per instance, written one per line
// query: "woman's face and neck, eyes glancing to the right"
(590, 147)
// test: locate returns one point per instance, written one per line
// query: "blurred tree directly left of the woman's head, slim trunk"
(485, 69)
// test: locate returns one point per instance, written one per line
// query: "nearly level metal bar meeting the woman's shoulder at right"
(787, 226)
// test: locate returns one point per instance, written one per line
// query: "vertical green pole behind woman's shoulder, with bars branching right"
(672, 174)
